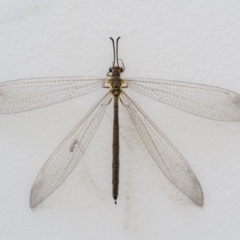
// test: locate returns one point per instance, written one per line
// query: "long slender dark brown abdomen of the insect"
(115, 160)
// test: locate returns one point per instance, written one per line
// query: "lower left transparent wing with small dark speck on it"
(68, 154)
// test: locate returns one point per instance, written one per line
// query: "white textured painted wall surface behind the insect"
(193, 41)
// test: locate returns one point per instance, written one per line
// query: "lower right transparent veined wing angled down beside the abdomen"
(166, 156)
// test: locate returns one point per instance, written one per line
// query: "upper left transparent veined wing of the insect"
(27, 94)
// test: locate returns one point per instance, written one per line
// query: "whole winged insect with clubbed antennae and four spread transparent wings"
(202, 100)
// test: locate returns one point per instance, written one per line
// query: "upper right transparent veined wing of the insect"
(202, 100)
